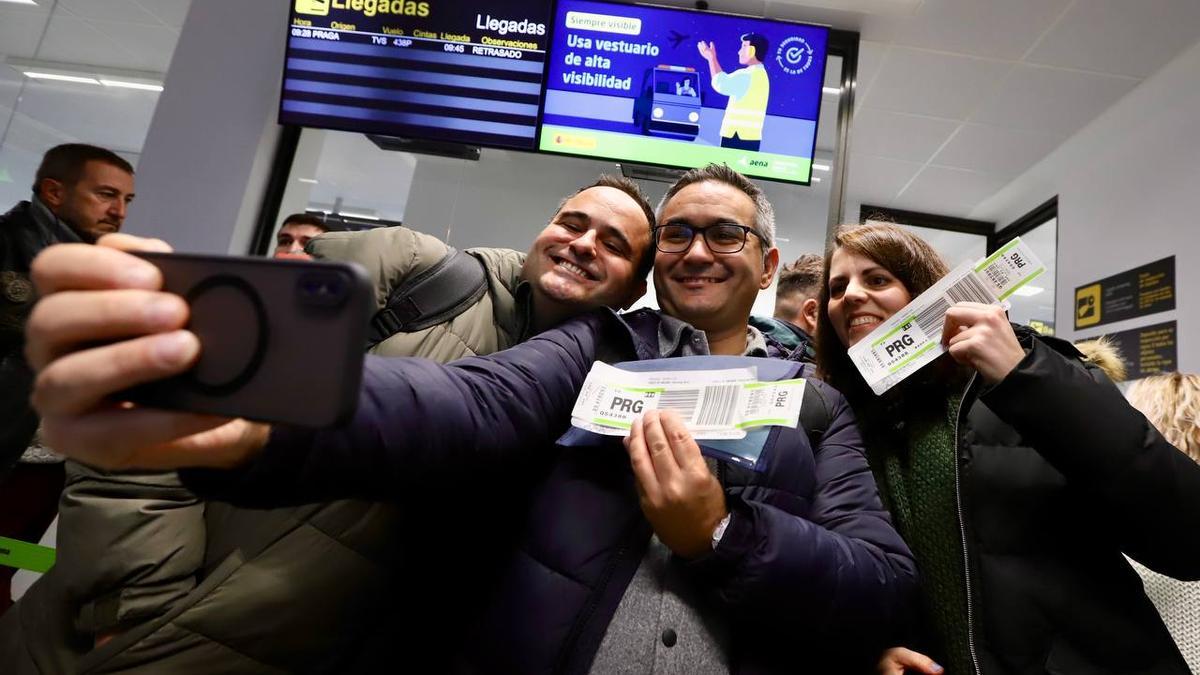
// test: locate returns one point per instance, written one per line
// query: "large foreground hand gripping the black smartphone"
(101, 327)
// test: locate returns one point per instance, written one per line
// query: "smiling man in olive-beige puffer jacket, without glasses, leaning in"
(118, 528)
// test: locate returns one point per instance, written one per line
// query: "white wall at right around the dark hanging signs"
(1127, 188)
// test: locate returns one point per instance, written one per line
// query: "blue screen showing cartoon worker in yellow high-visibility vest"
(682, 88)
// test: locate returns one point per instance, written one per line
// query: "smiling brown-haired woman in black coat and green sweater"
(994, 462)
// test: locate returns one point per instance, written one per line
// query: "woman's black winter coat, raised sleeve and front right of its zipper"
(1058, 477)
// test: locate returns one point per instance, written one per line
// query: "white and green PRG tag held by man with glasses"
(715, 404)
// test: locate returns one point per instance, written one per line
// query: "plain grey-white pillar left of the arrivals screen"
(208, 153)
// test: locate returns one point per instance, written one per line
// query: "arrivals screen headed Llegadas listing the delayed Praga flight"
(463, 73)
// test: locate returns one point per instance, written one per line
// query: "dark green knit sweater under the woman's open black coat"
(919, 485)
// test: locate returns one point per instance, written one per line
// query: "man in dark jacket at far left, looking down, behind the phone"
(80, 194)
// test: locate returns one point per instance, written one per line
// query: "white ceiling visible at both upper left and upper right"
(955, 98)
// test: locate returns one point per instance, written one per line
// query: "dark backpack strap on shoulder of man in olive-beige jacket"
(433, 297)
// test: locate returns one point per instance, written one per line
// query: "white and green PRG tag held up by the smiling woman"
(913, 337)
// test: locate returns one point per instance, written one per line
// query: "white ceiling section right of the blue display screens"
(958, 98)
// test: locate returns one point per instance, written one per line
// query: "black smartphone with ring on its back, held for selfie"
(280, 341)
